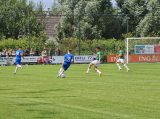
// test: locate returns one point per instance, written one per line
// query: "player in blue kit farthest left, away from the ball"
(18, 59)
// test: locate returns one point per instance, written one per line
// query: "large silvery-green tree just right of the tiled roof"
(85, 12)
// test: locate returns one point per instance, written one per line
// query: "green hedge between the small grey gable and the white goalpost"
(109, 47)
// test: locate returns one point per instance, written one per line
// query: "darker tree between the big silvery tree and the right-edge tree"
(134, 11)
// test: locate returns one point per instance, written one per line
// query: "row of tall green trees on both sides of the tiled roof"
(84, 19)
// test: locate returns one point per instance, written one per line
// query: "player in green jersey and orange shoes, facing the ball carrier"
(95, 62)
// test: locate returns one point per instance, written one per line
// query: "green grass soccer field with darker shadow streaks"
(35, 93)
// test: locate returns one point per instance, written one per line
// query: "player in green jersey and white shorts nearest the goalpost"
(121, 59)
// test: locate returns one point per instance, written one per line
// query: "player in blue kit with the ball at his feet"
(68, 58)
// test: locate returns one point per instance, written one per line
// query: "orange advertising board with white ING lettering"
(136, 58)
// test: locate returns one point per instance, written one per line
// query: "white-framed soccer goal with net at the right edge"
(145, 49)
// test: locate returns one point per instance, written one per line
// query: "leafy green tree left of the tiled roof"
(16, 16)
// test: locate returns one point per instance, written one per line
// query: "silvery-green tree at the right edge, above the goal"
(151, 22)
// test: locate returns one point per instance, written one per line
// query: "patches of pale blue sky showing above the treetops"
(48, 3)
